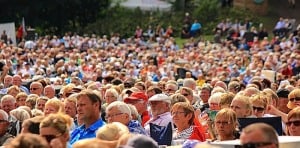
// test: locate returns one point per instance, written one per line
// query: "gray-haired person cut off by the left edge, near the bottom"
(5, 137)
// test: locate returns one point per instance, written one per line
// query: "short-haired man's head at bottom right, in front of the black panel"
(259, 135)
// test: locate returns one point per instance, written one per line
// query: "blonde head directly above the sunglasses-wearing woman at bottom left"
(53, 106)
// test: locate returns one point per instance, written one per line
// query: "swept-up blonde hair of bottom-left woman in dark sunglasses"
(60, 122)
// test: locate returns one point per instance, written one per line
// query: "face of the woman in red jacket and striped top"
(179, 117)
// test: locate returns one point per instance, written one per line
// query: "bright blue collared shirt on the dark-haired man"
(83, 133)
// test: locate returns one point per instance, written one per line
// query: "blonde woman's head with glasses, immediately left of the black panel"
(226, 125)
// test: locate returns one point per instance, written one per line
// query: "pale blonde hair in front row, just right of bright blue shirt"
(112, 131)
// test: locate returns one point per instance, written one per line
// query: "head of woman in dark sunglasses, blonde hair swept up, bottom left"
(55, 129)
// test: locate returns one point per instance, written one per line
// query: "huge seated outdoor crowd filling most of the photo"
(90, 91)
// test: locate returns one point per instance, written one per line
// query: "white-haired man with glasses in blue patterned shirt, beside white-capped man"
(120, 112)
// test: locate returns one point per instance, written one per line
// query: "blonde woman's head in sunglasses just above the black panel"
(259, 104)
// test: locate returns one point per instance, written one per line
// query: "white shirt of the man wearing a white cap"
(162, 120)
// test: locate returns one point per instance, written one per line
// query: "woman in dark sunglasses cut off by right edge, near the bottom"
(293, 123)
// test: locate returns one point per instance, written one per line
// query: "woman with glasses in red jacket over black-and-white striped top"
(183, 117)
